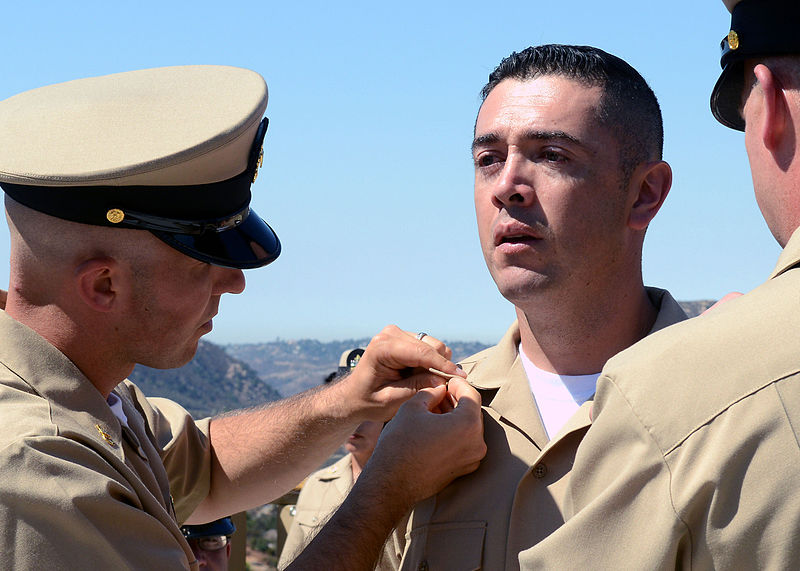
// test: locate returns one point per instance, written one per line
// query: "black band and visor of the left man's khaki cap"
(210, 222)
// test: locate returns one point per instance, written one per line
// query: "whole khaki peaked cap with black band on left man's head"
(172, 150)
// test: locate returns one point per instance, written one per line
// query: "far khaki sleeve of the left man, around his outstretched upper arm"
(185, 449)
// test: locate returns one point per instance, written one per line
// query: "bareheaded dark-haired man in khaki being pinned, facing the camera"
(568, 175)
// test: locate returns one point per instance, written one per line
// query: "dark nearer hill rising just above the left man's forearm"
(211, 383)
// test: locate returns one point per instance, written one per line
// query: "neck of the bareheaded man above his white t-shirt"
(576, 336)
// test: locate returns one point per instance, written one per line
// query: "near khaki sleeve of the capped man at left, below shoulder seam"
(63, 506)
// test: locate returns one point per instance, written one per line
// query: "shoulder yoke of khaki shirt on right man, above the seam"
(686, 374)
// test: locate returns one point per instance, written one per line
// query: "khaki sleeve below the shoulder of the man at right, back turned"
(618, 507)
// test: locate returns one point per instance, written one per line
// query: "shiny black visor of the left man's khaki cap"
(252, 244)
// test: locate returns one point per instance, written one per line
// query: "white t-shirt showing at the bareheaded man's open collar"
(557, 396)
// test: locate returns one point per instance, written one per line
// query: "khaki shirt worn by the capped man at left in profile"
(77, 489)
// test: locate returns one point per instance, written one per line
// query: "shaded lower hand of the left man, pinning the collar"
(421, 450)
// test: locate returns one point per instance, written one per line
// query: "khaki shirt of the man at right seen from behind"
(693, 459)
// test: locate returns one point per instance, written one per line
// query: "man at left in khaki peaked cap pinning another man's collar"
(127, 198)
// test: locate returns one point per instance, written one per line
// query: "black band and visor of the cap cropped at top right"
(759, 28)
